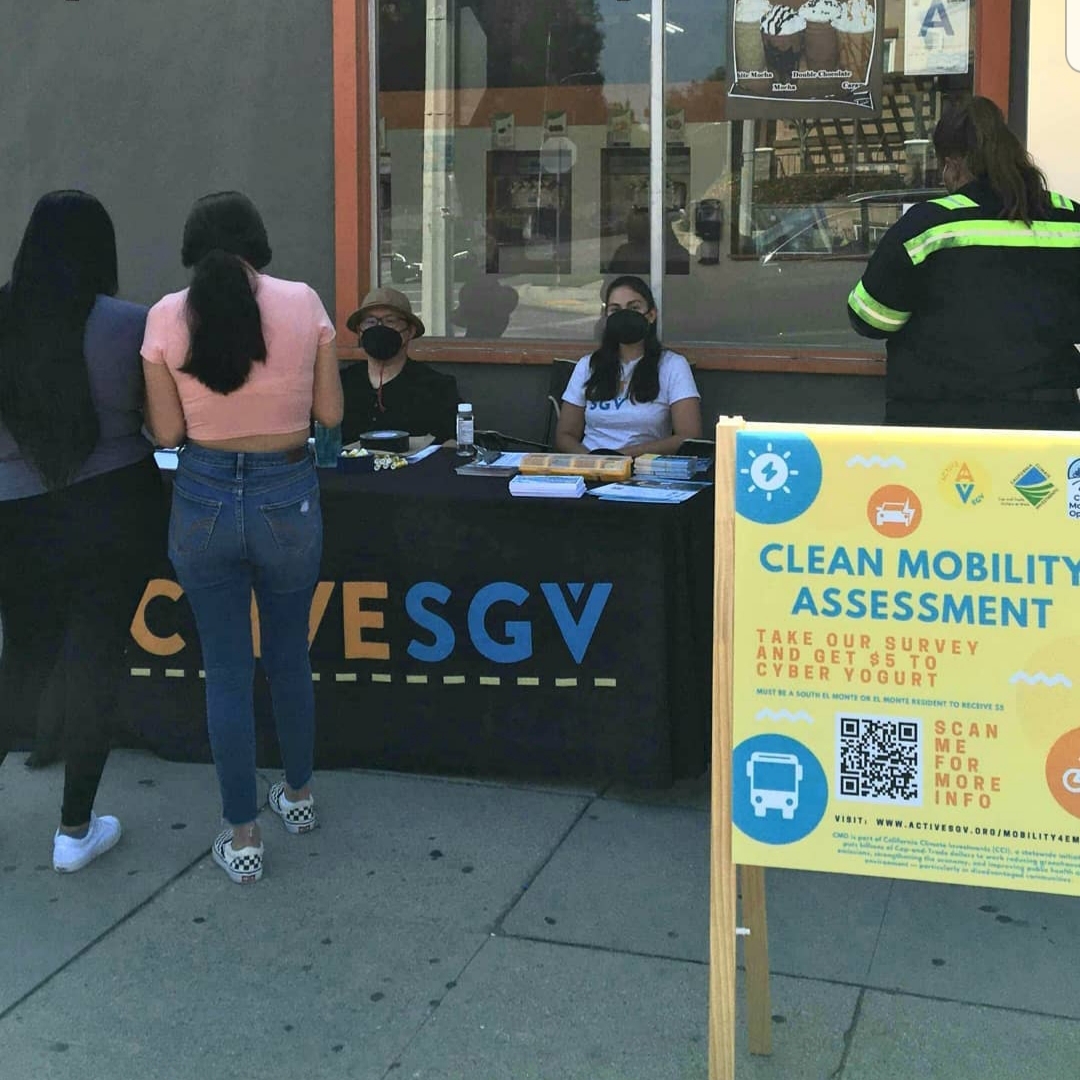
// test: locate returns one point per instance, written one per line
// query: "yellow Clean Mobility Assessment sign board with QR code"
(907, 654)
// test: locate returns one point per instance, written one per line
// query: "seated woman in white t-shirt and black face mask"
(631, 396)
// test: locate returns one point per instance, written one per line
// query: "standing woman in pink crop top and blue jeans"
(236, 368)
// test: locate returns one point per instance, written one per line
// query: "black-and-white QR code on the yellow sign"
(879, 760)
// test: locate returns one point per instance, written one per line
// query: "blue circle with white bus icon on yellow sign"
(779, 790)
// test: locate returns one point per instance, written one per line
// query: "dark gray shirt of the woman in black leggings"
(112, 347)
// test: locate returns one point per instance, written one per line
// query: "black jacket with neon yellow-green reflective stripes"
(981, 315)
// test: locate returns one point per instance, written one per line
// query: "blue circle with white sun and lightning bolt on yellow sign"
(778, 476)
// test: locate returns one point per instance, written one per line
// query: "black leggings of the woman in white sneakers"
(73, 566)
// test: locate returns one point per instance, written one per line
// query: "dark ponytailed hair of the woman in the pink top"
(223, 233)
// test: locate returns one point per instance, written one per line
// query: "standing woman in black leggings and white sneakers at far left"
(78, 493)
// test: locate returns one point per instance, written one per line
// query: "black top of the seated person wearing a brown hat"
(418, 400)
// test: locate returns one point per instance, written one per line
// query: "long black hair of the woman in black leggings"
(67, 259)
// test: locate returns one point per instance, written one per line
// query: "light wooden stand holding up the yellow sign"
(722, 910)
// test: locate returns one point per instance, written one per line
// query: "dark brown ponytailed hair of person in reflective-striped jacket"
(976, 132)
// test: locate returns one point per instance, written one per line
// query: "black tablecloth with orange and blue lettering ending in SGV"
(461, 630)
